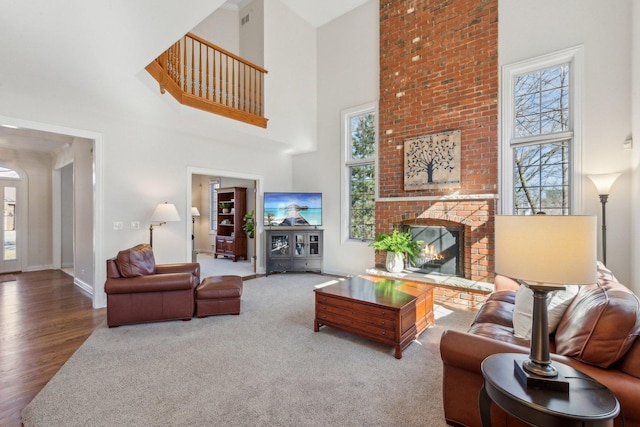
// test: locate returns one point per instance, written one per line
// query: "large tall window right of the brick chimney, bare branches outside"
(540, 159)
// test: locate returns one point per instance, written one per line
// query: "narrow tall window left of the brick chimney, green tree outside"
(359, 142)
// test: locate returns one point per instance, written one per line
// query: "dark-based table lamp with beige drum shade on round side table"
(544, 253)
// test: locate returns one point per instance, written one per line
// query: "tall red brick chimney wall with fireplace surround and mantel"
(439, 73)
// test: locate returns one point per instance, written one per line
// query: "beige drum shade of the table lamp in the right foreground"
(542, 249)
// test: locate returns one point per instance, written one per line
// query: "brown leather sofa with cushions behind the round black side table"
(596, 335)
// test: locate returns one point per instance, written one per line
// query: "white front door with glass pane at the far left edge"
(9, 237)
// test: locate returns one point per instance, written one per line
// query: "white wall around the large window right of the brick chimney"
(529, 29)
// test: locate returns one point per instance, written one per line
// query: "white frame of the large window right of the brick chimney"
(573, 56)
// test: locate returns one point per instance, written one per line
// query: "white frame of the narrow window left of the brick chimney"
(346, 116)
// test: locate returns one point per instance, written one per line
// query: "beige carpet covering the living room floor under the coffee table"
(265, 367)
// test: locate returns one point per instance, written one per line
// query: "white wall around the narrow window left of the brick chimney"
(347, 76)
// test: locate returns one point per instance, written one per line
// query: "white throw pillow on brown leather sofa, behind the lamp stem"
(557, 303)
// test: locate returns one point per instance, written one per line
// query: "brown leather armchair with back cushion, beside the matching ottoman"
(140, 291)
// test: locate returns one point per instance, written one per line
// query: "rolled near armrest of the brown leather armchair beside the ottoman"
(150, 283)
